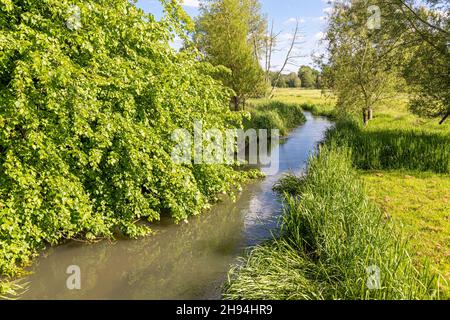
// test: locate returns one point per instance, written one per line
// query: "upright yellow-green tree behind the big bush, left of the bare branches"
(230, 34)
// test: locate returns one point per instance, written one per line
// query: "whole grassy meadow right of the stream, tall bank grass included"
(402, 163)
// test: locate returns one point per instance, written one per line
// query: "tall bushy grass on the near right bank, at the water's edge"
(331, 234)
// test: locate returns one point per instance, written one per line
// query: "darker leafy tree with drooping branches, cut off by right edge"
(425, 31)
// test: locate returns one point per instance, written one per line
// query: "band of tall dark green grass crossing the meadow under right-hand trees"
(393, 148)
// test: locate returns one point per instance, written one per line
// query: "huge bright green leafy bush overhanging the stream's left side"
(86, 120)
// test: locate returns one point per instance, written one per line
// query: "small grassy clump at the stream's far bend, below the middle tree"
(275, 115)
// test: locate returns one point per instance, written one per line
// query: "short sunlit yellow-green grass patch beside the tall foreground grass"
(418, 203)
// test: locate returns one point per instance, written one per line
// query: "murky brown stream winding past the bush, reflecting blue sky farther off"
(188, 261)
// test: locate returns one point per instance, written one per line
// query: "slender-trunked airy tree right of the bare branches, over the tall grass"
(360, 61)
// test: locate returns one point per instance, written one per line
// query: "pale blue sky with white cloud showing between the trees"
(310, 13)
